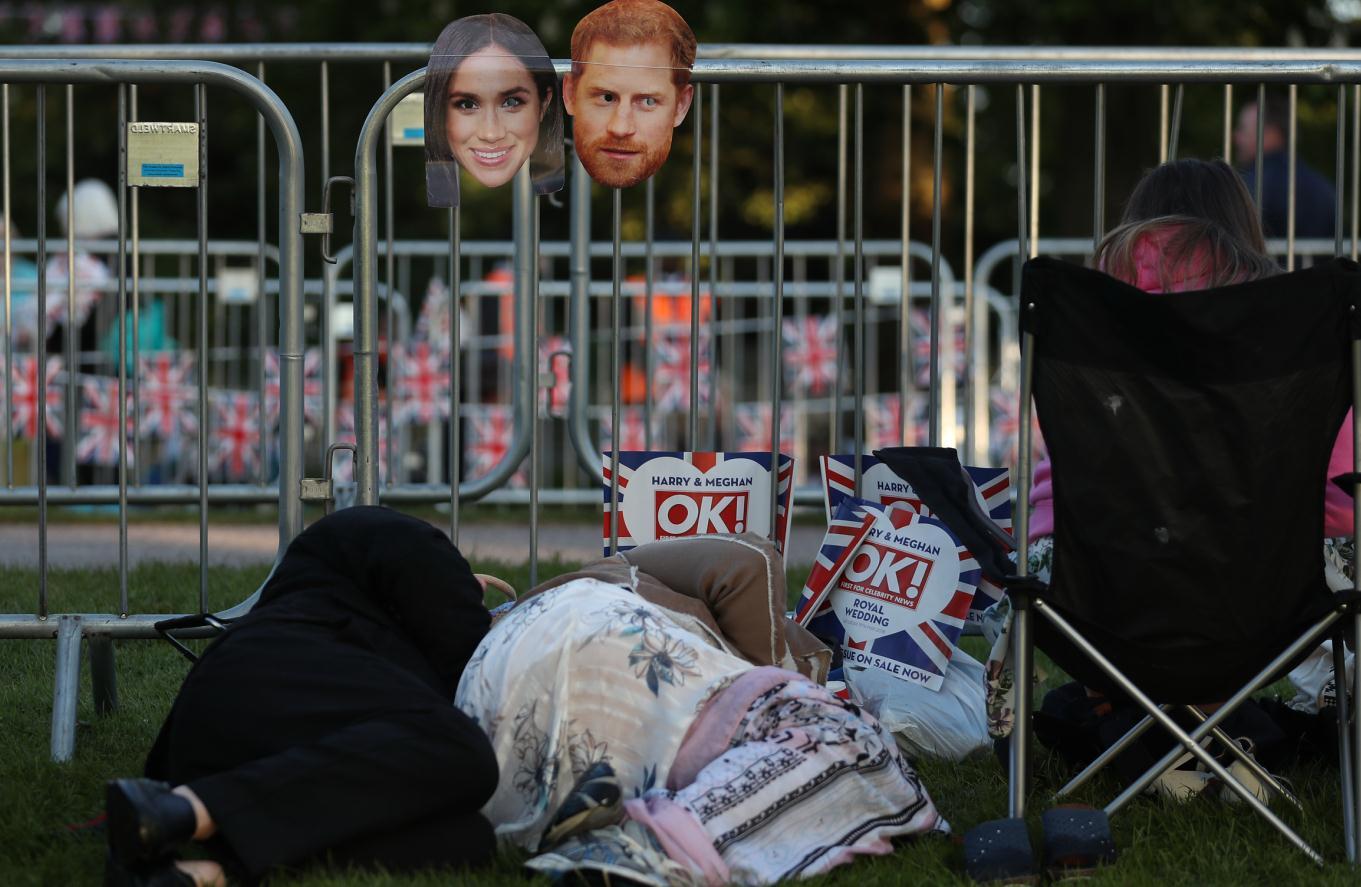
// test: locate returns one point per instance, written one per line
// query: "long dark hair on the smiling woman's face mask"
(474, 33)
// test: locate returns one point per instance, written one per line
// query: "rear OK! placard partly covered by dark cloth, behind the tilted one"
(879, 484)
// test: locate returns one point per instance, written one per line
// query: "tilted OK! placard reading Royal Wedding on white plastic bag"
(893, 588)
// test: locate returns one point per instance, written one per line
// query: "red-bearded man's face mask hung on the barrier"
(629, 88)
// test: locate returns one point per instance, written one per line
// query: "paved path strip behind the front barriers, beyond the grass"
(97, 545)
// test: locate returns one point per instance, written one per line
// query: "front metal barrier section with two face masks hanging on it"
(1173, 73)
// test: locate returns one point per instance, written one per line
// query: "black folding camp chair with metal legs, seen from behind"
(1189, 436)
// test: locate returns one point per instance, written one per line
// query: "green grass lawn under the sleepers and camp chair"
(1204, 843)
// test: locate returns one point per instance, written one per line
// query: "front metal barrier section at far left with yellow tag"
(100, 629)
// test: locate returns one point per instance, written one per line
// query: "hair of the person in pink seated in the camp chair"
(1213, 229)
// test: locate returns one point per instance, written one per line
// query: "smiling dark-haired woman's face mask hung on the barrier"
(492, 103)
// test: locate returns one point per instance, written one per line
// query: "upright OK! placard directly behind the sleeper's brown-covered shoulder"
(669, 496)
